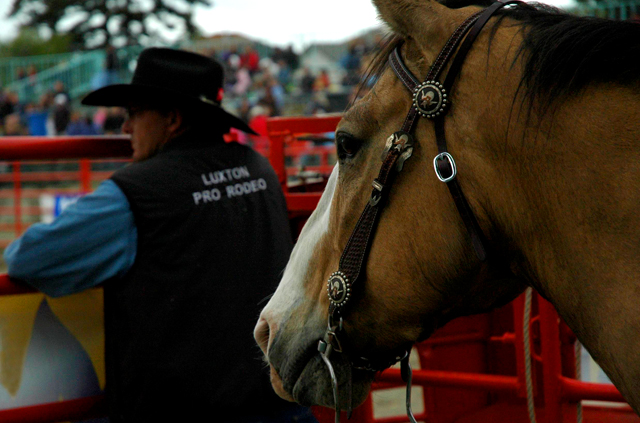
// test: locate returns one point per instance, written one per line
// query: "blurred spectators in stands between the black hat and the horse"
(279, 84)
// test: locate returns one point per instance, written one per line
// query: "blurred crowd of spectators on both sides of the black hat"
(255, 88)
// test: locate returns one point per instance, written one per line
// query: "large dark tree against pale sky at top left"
(98, 23)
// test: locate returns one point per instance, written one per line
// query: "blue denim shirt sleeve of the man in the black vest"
(91, 241)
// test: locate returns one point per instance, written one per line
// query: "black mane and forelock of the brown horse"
(562, 53)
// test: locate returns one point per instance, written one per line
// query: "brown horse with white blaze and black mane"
(544, 126)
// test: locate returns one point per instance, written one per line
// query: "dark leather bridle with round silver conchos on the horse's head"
(430, 100)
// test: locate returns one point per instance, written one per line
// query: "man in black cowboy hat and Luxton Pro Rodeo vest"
(187, 240)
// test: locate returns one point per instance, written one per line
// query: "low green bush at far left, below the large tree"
(30, 43)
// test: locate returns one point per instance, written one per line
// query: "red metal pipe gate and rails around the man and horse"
(475, 369)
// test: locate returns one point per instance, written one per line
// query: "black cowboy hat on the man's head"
(168, 74)
